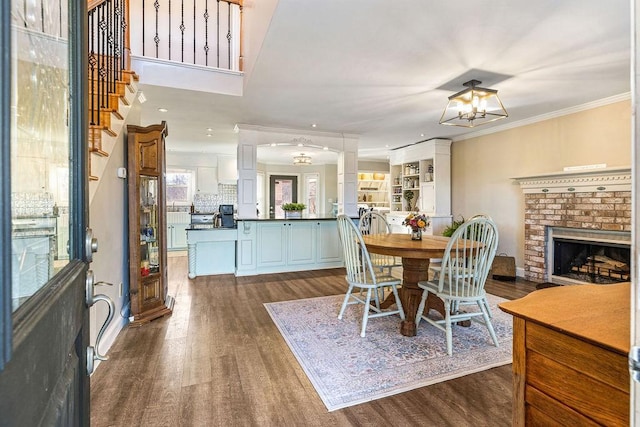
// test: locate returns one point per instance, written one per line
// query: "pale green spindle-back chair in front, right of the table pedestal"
(465, 267)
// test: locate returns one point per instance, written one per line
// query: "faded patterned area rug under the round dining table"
(346, 369)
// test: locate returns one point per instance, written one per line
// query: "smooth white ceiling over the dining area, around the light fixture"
(376, 69)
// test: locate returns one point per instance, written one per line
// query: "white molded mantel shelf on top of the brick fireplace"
(586, 180)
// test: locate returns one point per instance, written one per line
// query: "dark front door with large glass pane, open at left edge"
(44, 319)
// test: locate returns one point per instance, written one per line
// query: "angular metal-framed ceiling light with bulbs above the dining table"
(473, 106)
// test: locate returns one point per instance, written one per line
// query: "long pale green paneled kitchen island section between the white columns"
(283, 245)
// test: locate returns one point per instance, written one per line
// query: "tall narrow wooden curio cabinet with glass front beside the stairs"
(147, 223)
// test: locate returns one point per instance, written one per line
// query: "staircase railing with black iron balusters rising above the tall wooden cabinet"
(108, 54)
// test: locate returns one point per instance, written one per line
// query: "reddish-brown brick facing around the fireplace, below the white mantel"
(585, 210)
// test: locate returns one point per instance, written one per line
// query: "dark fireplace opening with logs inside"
(591, 262)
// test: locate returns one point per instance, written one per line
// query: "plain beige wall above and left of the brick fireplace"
(482, 168)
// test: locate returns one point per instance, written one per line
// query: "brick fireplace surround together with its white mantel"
(592, 199)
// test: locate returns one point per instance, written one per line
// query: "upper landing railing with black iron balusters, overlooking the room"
(199, 32)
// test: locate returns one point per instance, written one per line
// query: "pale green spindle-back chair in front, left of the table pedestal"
(362, 276)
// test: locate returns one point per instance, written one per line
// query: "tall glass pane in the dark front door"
(39, 147)
